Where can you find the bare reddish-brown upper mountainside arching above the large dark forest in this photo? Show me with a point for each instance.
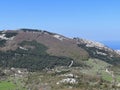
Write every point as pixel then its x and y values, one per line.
pixel 57 44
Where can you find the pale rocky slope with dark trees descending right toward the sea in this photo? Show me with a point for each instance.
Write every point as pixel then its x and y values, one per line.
pixel 99 51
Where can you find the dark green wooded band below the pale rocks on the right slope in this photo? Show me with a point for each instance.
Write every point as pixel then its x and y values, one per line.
pixel 109 58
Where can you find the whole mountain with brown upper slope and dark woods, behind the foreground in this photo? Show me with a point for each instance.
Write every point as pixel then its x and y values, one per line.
pixel 37 50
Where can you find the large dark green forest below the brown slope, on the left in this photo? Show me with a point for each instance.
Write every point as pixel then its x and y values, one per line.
pixel 33 58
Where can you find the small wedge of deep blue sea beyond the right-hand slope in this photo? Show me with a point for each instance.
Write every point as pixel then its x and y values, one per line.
pixel 112 44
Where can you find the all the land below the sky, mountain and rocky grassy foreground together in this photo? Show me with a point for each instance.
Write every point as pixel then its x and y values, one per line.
pixel 30 59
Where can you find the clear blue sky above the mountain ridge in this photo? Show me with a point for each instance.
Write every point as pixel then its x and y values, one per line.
pixel 91 19
